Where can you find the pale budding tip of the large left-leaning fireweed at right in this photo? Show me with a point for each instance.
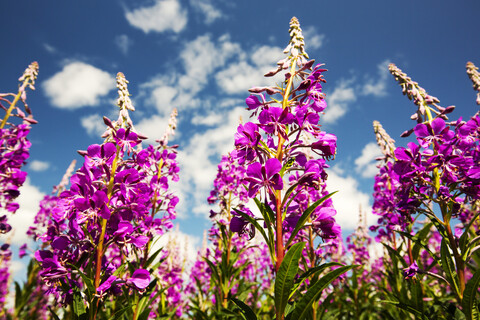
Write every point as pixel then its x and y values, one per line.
pixel 420 97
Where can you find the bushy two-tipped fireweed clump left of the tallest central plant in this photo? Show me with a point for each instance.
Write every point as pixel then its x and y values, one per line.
pixel 95 250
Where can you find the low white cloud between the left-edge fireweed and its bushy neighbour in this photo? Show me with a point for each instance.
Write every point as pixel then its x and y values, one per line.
pixel 28 200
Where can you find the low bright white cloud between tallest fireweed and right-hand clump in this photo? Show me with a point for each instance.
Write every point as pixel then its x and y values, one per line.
pixel 348 200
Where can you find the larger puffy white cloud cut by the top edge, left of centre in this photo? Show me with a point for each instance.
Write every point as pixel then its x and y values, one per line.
pixel 162 16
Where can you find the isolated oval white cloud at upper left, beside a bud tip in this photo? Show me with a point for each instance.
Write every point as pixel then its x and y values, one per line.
pixel 77 85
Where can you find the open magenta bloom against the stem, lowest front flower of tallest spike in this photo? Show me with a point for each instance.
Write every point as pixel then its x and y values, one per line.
pixel 264 176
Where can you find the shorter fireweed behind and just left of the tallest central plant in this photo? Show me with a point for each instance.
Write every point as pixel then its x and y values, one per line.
pixel 232 266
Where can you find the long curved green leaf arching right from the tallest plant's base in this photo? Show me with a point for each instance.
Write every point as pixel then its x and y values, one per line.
pixel 313 294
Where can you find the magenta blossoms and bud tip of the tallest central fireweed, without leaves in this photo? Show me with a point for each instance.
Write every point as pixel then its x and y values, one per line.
pixel 277 145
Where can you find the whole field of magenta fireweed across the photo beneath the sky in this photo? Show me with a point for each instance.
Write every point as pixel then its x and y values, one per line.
pixel 275 250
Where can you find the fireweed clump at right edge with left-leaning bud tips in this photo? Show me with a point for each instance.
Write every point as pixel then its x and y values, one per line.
pixel 437 178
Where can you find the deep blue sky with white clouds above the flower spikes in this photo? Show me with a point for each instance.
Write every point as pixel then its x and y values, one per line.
pixel 201 56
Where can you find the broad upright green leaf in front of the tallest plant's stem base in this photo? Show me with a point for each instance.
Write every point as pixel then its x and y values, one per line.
pixel 286 276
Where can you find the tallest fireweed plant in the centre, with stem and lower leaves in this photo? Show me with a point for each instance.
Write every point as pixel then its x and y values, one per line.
pixel 285 182
